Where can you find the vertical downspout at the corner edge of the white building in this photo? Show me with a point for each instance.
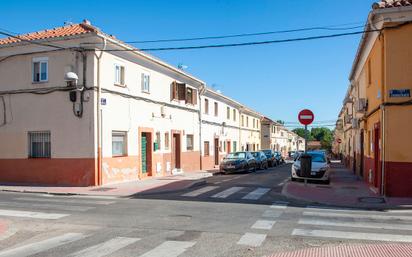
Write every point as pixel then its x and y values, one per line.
pixel 99 117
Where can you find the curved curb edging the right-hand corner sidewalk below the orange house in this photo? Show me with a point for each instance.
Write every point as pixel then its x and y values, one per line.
pixel 365 206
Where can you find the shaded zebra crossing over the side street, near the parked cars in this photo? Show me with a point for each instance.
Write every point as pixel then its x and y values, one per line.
pixel 216 192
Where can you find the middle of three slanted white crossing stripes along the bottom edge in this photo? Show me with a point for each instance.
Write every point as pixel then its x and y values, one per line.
pixel 105 248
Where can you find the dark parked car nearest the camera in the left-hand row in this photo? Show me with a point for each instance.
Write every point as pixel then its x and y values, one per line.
pixel 238 162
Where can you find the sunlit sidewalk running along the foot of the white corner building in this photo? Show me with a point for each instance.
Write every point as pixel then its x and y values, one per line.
pixel 146 186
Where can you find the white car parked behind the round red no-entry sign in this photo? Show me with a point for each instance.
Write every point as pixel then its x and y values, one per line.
pixel 320 168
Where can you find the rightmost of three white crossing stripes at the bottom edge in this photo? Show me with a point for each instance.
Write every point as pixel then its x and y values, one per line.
pixel 169 249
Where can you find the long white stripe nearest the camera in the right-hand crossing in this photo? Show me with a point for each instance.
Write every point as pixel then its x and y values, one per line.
pixel 352 235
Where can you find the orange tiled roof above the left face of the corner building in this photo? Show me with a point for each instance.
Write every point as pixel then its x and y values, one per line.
pixel 69 30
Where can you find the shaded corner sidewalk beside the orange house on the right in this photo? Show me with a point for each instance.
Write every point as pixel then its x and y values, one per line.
pixel 345 190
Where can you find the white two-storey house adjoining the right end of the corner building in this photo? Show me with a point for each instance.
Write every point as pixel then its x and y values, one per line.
pixel 220 127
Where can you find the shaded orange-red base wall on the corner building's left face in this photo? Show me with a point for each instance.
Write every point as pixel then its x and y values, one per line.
pixel 62 172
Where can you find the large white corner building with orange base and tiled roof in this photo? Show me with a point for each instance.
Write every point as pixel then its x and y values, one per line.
pixel 129 116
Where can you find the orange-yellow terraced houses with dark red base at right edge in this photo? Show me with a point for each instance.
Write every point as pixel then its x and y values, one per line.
pixel 377 110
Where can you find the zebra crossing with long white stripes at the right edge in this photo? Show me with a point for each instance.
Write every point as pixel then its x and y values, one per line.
pixel 335 223
